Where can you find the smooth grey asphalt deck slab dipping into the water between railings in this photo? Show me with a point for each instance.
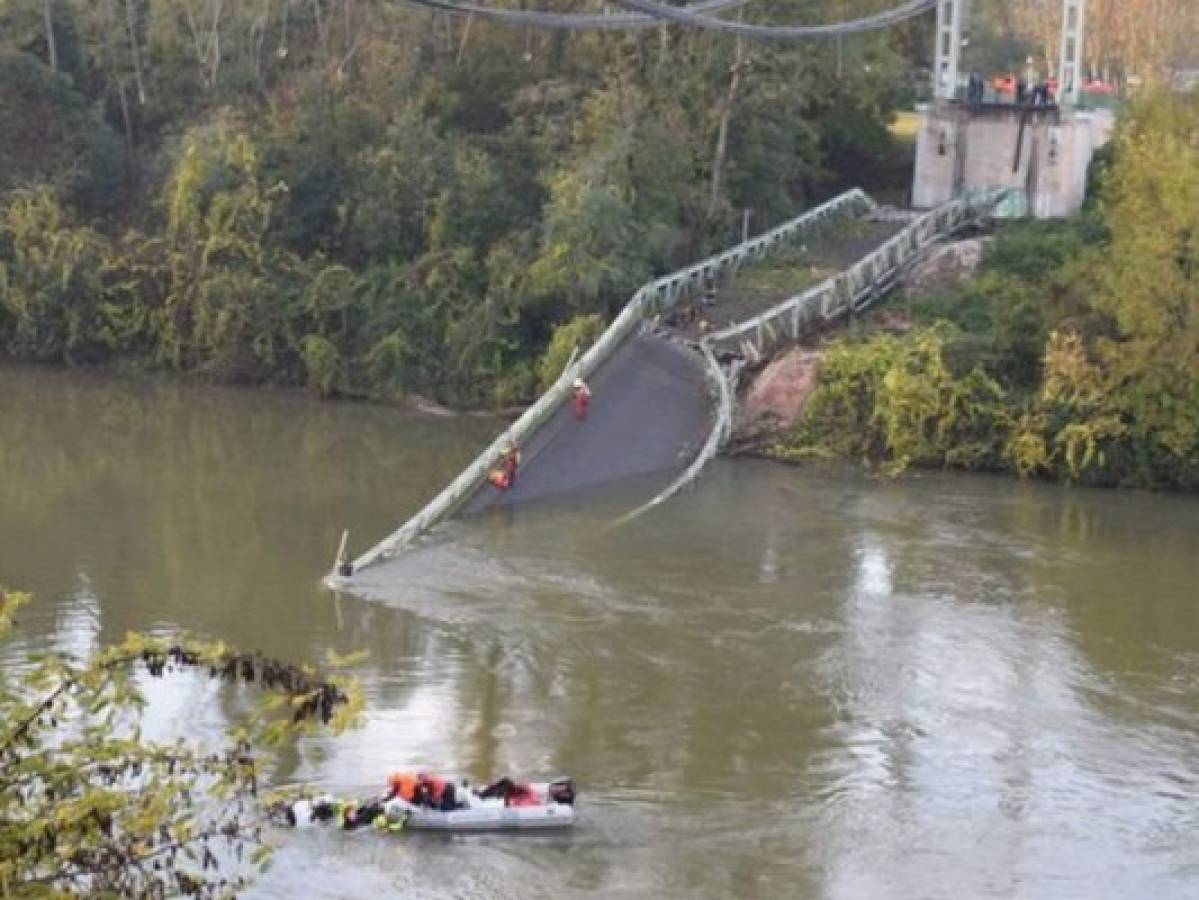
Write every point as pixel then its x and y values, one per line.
pixel 650 413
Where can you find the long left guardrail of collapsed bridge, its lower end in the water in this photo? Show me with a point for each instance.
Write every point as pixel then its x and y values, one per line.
pixel 650 299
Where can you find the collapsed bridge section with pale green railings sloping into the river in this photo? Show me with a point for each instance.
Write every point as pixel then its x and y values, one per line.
pixel 665 396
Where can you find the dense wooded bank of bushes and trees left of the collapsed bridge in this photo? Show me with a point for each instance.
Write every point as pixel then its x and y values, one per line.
pixel 379 202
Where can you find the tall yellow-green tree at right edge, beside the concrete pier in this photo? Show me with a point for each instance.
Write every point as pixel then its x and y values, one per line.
pixel 1146 282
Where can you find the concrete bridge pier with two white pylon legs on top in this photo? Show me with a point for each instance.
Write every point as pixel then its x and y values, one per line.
pixel 1040 147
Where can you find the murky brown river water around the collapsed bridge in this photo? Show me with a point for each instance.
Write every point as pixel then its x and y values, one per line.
pixel 803 684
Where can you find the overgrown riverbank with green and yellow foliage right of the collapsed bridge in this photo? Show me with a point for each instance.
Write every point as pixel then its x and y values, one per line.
pixel 1074 355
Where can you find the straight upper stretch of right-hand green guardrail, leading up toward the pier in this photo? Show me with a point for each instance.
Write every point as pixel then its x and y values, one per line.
pixel 854 288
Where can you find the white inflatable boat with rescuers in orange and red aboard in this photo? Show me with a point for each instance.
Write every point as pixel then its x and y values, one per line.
pixel 534 806
